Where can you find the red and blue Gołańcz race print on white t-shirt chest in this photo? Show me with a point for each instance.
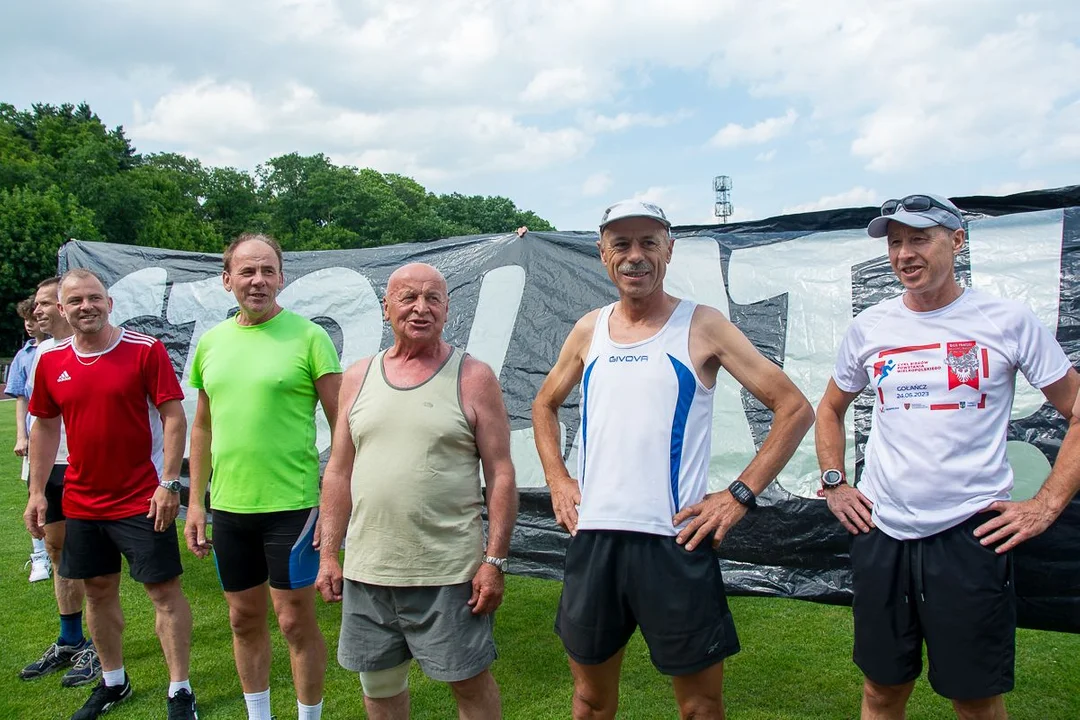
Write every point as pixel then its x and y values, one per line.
pixel 922 378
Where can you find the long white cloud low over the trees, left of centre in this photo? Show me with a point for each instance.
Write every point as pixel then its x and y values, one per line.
pixel 429 144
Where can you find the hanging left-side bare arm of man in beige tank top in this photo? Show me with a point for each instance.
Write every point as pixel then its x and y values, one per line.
pixel 336 502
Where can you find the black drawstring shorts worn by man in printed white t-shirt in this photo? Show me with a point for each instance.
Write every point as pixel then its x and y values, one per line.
pixel 947 590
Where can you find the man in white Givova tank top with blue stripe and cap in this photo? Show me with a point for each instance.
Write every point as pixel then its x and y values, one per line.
pixel 642 521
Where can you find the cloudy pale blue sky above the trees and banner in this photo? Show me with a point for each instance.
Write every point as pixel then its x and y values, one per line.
pixel 566 107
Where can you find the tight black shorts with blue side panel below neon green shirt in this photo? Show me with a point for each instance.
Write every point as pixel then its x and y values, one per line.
pixel 250 549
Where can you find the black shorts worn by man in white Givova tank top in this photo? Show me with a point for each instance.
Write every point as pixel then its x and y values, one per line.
pixel 616 581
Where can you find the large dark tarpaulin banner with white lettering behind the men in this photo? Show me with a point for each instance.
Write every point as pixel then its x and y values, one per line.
pixel 791 284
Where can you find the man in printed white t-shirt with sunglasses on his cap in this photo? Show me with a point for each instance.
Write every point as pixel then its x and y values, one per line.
pixel 931 521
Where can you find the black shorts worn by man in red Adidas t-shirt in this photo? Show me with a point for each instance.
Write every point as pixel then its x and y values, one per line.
pixel 92 549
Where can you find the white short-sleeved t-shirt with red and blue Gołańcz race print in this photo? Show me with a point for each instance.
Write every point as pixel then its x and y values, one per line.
pixel 943 383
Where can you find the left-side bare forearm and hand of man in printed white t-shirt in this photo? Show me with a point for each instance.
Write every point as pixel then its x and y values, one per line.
pixel 850 507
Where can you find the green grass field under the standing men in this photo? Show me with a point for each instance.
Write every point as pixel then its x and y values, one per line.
pixel 795 664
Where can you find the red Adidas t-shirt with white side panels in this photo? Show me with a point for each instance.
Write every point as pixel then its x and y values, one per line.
pixel 110 403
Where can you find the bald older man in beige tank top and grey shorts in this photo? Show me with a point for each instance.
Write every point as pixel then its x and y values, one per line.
pixel 418 581
